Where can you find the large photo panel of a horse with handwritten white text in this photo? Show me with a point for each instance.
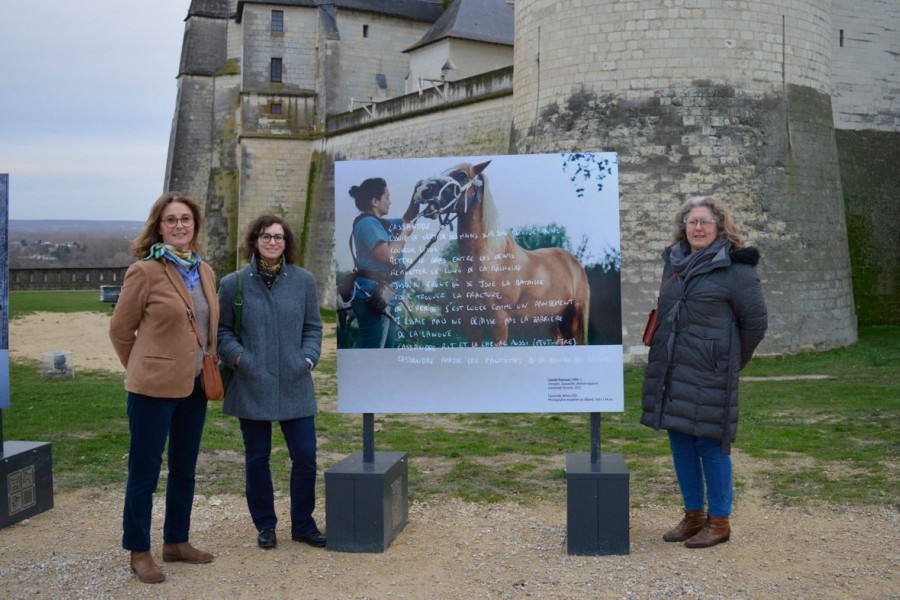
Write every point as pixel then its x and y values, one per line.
pixel 502 293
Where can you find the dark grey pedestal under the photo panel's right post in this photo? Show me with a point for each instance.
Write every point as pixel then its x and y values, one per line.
pixel 597 505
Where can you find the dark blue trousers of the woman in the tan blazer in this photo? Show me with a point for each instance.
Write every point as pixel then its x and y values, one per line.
pixel 151 421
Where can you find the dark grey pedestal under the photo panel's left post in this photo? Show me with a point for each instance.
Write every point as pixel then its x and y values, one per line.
pixel 366 504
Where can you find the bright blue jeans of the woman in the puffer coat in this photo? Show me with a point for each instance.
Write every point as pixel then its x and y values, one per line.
pixel 698 460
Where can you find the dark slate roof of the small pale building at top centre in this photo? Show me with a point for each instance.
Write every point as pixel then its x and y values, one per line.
pixel 490 21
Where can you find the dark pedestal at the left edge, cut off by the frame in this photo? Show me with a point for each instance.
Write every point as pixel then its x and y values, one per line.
pixel 26 481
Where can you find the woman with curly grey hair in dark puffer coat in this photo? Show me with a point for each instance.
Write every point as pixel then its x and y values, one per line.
pixel 712 316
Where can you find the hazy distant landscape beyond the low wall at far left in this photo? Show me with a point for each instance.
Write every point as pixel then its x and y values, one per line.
pixel 70 243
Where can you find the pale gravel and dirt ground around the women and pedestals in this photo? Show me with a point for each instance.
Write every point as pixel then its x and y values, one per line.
pixel 449 549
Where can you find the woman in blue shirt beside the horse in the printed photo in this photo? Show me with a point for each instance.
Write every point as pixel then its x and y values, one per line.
pixel 378 257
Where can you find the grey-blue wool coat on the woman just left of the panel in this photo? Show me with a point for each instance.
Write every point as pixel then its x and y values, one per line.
pixel 280 328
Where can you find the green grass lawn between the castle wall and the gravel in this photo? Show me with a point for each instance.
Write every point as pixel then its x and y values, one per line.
pixel 804 442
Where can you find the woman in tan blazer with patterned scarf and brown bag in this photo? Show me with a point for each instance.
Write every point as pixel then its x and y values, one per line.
pixel 167 294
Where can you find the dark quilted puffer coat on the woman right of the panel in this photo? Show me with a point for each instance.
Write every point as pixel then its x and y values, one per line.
pixel 691 380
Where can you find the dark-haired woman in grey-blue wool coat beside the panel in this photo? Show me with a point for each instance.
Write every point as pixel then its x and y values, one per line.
pixel 279 346
